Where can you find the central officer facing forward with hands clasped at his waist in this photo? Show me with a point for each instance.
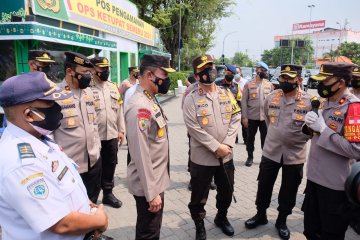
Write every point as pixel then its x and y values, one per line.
pixel 212 118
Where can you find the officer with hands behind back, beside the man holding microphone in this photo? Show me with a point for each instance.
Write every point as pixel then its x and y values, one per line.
pixel 285 147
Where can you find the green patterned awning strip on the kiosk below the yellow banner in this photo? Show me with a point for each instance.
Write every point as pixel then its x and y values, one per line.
pixel 38 31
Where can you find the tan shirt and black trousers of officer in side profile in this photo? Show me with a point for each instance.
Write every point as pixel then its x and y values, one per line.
pixel 148 171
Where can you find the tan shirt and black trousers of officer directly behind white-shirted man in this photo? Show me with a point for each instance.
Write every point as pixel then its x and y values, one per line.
pixel 78 135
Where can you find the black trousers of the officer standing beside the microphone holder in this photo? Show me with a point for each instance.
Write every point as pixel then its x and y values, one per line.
pixel 291 179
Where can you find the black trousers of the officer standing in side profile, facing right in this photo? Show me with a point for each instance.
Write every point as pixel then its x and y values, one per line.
pixel 148 224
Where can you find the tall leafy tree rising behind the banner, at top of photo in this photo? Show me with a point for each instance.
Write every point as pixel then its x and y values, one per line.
pixel 197 23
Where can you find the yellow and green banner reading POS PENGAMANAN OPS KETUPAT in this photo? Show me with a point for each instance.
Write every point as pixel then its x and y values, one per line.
pixel 102 15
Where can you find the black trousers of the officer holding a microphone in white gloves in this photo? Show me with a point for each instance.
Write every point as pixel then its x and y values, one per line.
pixel 324 213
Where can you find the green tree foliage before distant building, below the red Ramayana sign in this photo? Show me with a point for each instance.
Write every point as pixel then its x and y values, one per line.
pixel 276 56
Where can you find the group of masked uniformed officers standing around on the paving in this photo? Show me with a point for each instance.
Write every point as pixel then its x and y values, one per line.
pixel 86 116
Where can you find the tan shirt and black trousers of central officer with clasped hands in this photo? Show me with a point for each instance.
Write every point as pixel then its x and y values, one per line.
pixel 211 119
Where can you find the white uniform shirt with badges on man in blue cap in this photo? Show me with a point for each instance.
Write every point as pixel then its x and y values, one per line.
pixel 38 181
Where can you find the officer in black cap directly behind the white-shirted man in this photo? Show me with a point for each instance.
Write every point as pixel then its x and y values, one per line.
pixel 78 133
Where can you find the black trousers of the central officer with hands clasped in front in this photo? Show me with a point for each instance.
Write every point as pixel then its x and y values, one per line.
pixel 201 177
